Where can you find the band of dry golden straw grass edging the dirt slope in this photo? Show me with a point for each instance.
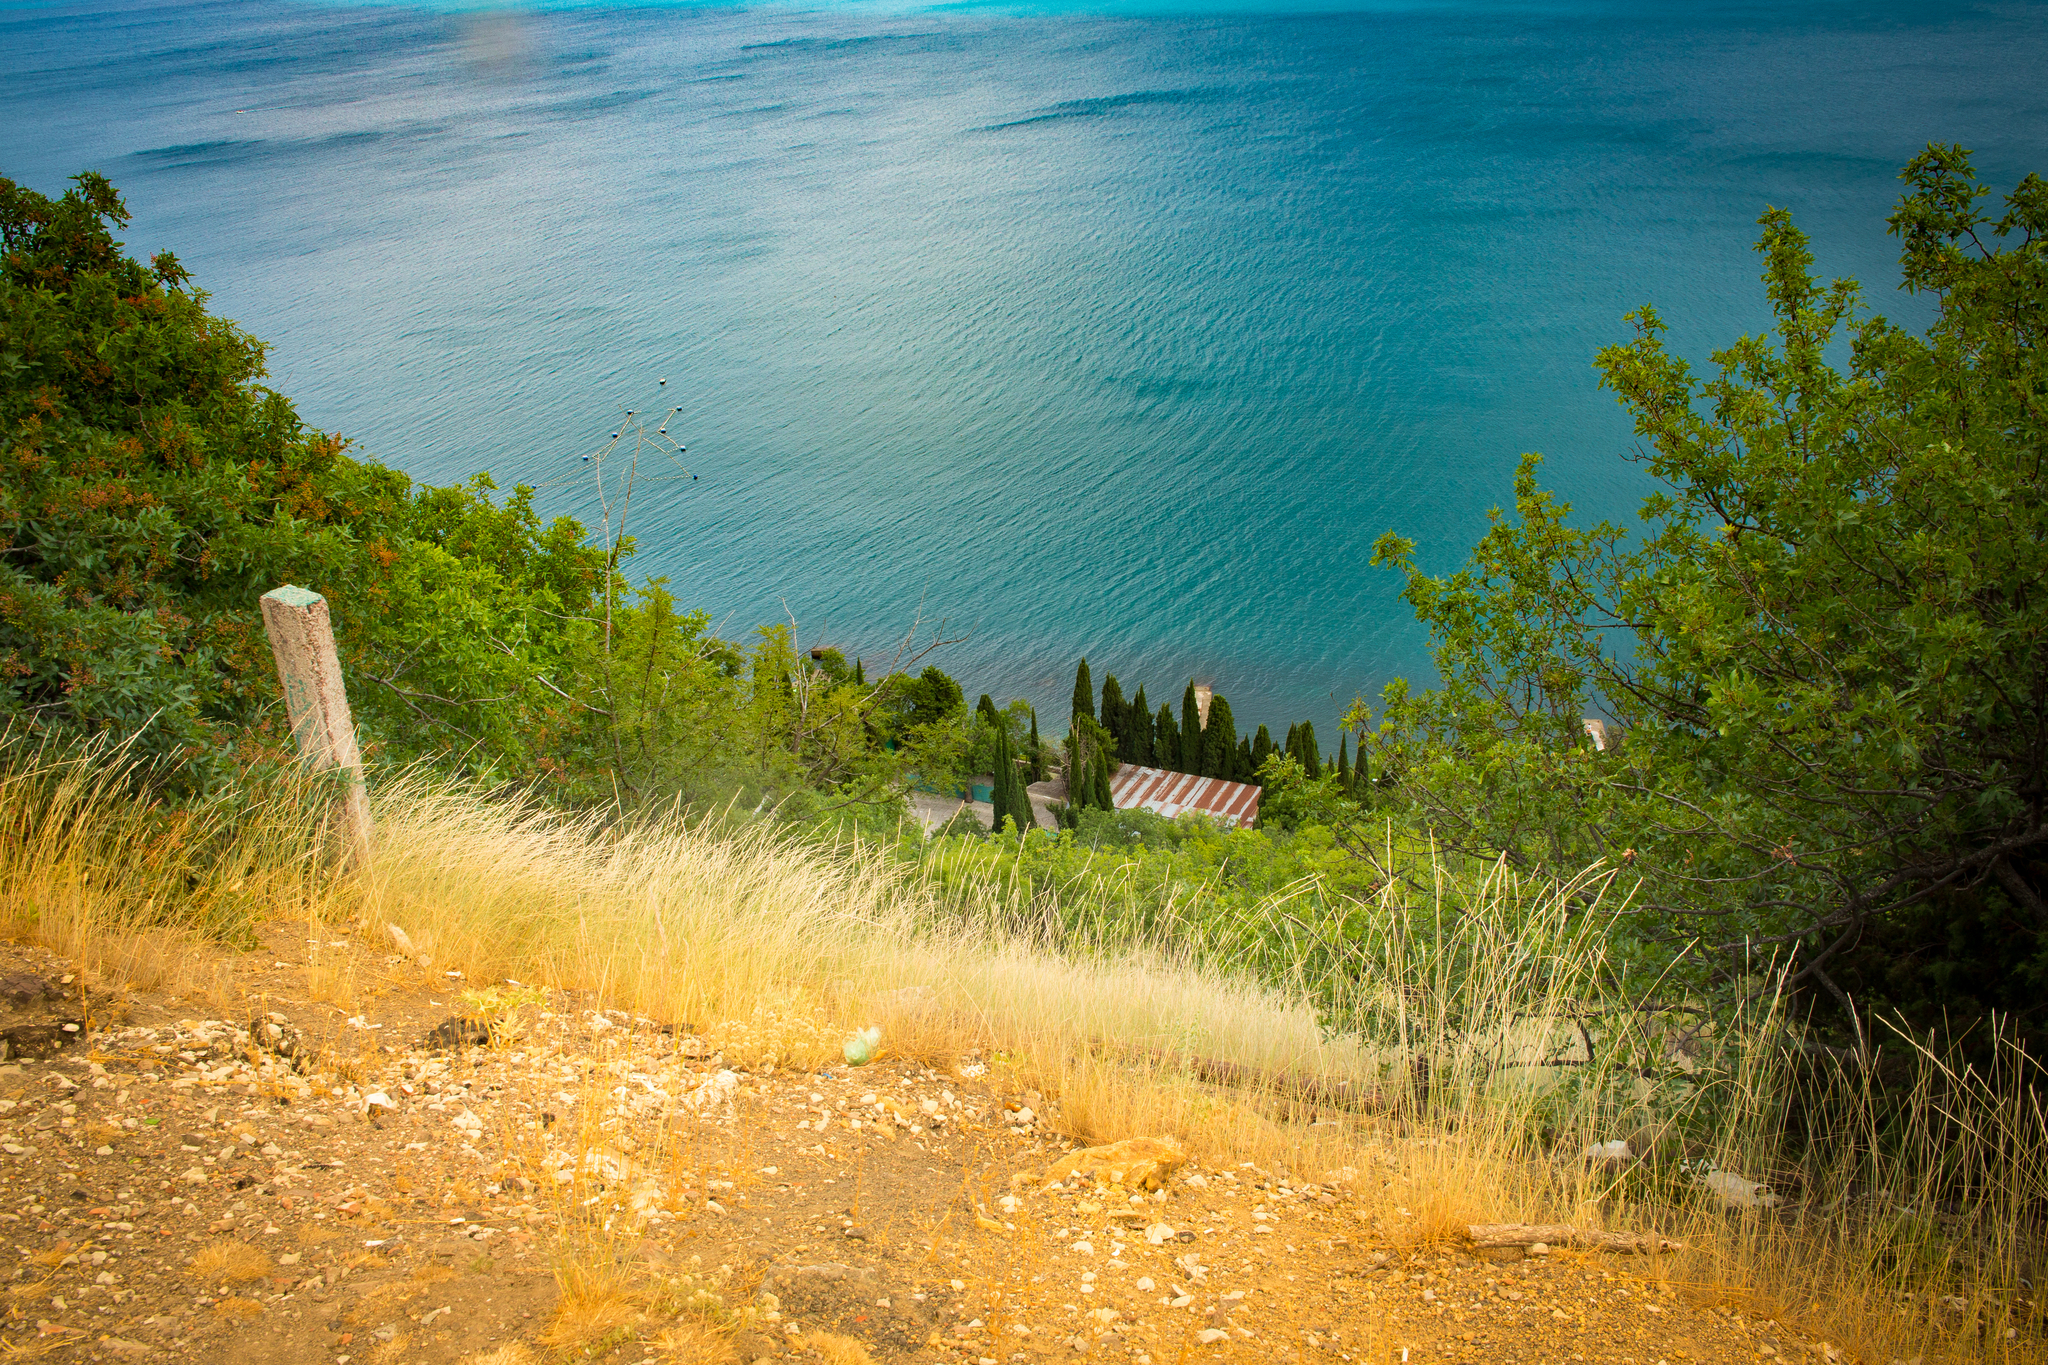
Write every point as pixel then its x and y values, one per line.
pixel 1918 1239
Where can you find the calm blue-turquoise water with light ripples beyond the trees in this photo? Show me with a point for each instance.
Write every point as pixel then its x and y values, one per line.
pixel 1111 333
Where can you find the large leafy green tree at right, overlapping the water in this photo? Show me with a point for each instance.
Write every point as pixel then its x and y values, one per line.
pixel 1824 642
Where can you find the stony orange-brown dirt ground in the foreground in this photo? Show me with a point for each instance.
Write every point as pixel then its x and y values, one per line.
pixel 300 1182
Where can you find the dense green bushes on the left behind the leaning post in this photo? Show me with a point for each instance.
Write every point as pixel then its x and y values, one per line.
pixel 153 490
